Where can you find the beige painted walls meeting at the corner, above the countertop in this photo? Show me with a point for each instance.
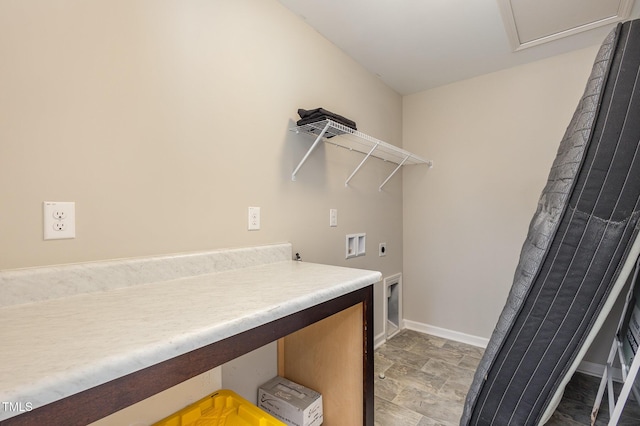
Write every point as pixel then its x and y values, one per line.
pixel 165 120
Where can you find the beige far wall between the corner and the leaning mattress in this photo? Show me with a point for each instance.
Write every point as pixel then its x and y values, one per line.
pixel 493 139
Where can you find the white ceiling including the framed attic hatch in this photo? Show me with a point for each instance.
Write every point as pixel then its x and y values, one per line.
pixel 414 45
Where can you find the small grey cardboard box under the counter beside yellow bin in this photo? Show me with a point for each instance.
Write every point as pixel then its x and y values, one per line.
pixel 290 402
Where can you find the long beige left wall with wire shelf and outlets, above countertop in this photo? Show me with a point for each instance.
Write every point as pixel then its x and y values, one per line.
pixel 165 120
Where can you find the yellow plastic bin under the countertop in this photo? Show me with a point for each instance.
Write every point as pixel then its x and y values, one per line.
pixel 221 408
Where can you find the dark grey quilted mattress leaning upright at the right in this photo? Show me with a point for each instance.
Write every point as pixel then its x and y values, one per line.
pixel 580 236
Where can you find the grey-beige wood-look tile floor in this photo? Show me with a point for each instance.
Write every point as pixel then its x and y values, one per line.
pixel 426 379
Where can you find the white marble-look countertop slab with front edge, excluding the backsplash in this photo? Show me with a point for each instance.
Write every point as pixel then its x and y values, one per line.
pixel 54 348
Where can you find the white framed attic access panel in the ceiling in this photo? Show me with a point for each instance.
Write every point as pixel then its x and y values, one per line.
pixel 532 22
